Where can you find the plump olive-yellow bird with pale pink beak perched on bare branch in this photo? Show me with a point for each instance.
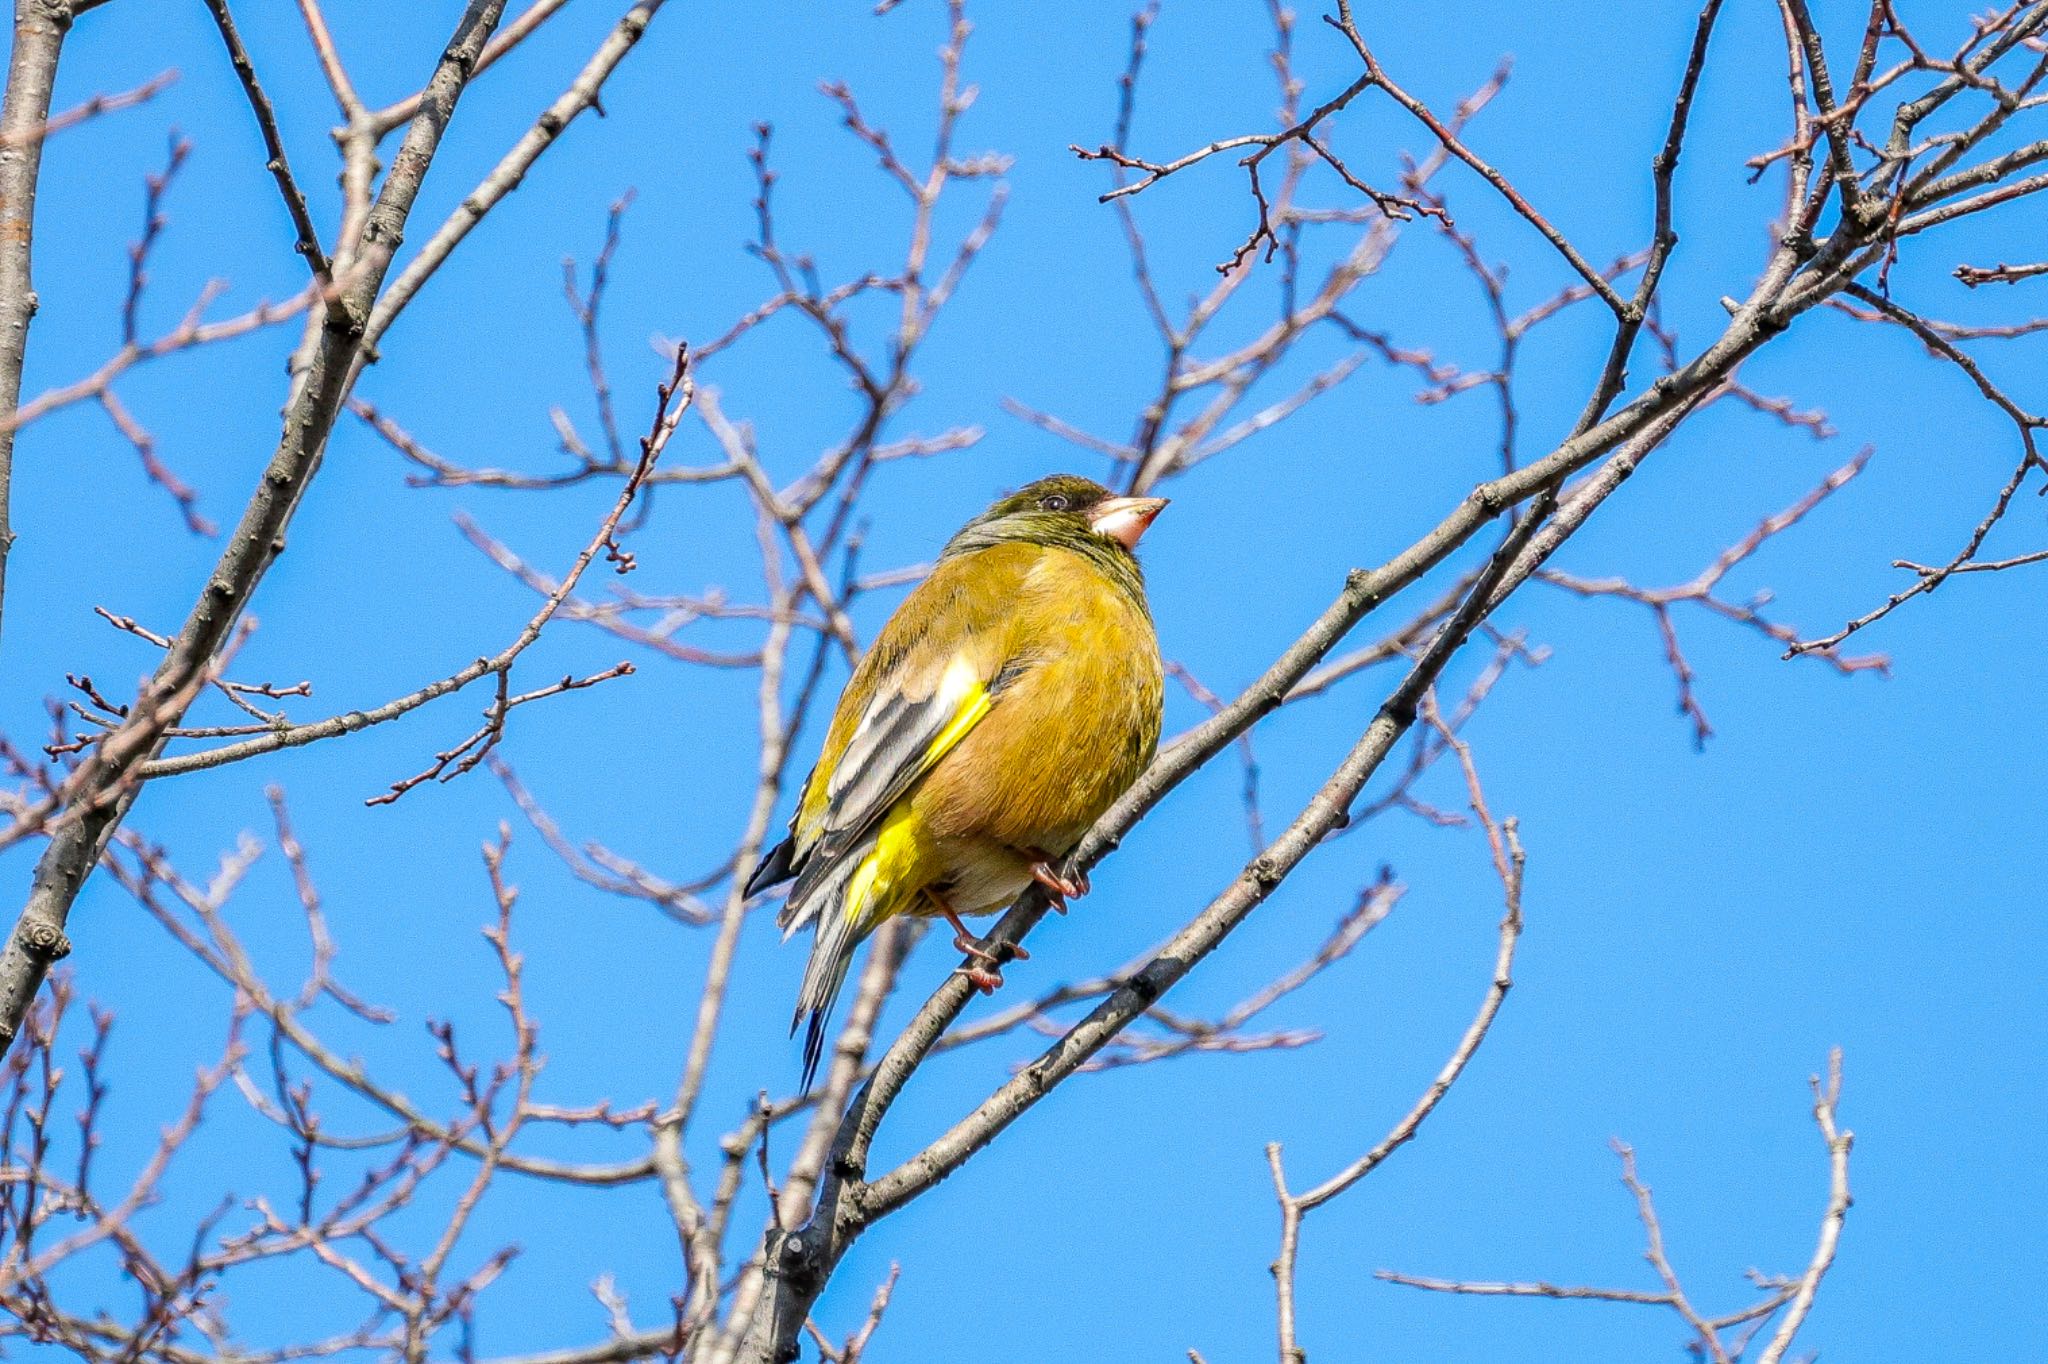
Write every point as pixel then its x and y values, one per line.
pixel 1011 699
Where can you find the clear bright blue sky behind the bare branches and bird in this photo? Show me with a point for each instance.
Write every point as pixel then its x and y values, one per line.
pixel 1852 861
